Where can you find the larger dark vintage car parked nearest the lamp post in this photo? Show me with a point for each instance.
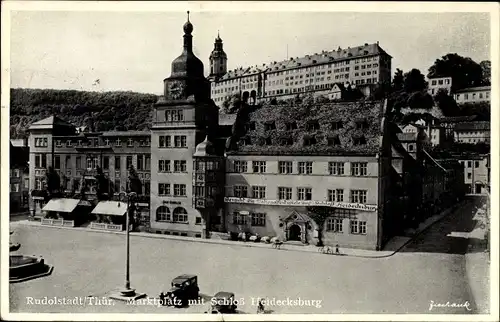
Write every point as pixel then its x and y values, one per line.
pixel 183 288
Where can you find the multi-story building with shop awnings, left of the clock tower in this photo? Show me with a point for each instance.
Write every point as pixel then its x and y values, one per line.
pixel 76 156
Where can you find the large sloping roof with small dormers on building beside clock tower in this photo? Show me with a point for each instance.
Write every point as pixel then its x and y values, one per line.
pixel 262 140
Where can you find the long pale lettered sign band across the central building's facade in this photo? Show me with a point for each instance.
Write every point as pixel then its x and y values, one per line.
pixel 267 202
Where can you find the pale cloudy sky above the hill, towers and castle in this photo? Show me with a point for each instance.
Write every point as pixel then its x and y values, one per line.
pixel 134 50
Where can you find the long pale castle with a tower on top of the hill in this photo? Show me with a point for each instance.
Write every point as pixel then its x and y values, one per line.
pixel 361 66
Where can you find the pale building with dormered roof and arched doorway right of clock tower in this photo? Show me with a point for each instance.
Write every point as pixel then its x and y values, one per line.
pixel 284 169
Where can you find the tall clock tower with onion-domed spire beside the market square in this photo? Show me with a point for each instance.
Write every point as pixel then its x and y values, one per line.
pixel 183 117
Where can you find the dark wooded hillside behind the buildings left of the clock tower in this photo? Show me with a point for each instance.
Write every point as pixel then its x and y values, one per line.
pixel 119 111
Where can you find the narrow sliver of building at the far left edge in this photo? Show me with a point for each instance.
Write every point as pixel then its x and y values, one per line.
pixel 19 176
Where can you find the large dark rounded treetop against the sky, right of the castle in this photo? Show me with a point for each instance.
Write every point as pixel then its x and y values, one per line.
pixel 464 72
